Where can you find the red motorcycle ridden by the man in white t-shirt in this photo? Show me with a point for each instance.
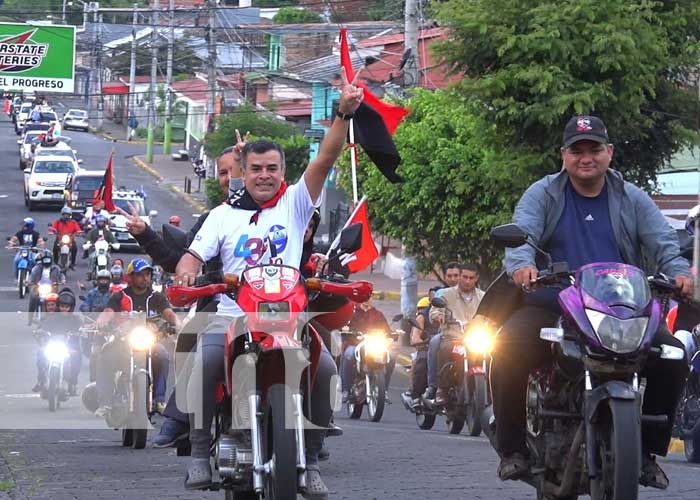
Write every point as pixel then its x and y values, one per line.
pixel 259 441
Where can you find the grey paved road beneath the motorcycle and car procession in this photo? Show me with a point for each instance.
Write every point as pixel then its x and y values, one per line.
pixel 69 455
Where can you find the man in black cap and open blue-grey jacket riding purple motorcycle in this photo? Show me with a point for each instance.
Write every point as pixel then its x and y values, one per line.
pixel 585 213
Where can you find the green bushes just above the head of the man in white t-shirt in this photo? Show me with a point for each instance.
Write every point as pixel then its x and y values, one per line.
pixel 245 118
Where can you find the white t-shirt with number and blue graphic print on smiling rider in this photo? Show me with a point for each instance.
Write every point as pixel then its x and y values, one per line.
pixel 242 244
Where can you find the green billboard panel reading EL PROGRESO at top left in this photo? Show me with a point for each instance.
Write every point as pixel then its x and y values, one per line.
pixel 37 58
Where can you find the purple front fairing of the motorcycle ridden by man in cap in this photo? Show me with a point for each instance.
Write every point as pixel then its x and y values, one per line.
pixel 574 301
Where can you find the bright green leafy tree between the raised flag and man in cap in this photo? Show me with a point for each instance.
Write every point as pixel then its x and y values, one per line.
pixel 455 190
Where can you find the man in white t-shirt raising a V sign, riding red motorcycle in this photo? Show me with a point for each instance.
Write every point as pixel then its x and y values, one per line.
pixel 266 219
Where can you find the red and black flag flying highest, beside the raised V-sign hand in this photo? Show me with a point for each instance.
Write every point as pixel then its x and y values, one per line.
pixel 374 122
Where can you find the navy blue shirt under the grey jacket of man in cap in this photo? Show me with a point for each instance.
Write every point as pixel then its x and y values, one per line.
pixel 584 233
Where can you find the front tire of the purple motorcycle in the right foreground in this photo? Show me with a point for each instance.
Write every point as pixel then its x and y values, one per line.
pixel 619 448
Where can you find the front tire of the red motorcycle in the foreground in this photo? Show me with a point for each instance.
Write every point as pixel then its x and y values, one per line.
pixel 279 444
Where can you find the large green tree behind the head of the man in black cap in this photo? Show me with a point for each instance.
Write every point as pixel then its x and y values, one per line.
pixel 530 65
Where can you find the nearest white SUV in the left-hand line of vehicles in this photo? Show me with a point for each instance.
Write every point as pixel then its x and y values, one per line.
pixel 45 181
